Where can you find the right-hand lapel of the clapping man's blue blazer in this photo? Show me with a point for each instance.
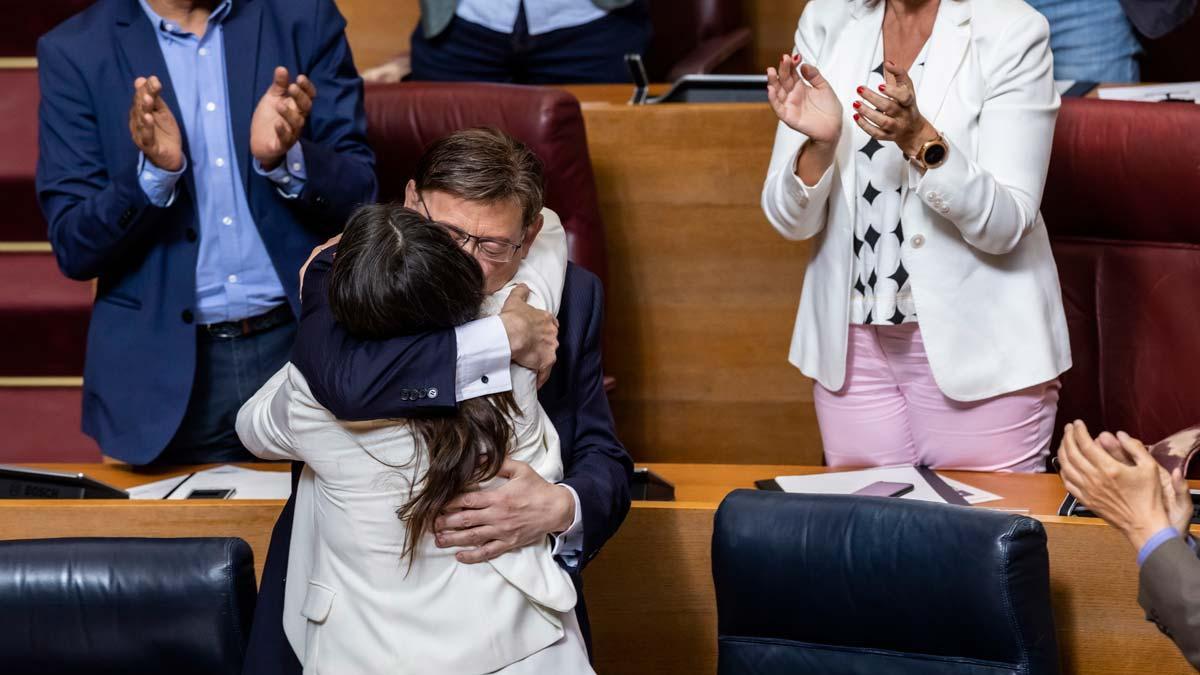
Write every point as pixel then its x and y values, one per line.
pixel 242 43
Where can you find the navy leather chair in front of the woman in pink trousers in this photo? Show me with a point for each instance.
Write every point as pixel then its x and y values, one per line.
pixel 838 586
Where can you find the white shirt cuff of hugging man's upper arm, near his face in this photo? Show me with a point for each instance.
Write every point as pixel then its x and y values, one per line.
pixel 484 357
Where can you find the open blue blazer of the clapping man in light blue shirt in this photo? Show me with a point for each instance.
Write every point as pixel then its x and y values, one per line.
pixel 142 341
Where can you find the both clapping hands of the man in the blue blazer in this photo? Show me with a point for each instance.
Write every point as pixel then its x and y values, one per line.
pixel 279 120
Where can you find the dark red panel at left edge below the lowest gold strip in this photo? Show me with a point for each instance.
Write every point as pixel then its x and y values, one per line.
pixel 43 425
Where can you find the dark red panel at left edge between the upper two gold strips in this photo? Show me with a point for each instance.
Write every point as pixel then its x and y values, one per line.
pixel 21 220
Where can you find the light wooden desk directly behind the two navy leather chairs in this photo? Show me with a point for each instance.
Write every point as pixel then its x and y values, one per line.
pixel 651 592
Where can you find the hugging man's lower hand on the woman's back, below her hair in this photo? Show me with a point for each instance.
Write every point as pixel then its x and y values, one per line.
pixel 521 512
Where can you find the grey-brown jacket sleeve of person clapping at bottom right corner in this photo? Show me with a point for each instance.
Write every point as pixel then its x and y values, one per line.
pixel 1169 592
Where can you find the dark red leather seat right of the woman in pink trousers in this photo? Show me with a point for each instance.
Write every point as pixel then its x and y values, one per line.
pixel 1121 208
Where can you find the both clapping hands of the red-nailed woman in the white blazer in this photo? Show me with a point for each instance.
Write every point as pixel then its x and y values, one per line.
pixel 806 101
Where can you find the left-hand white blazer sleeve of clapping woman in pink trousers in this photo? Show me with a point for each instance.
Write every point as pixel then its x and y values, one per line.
pixel 795 210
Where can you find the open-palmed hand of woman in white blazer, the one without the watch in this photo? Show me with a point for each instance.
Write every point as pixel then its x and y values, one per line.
pixel 803 99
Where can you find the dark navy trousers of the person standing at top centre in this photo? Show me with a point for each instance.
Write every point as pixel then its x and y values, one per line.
pixel 590 53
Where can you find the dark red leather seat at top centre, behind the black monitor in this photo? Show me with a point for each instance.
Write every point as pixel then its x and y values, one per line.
pixel 700 37
